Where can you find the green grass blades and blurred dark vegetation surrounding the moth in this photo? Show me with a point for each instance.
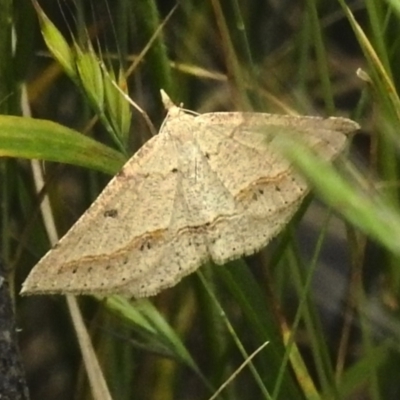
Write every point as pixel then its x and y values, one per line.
pixel 322 297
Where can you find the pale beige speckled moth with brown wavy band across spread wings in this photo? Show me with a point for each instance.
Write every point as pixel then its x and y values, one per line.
pixel 207 187
